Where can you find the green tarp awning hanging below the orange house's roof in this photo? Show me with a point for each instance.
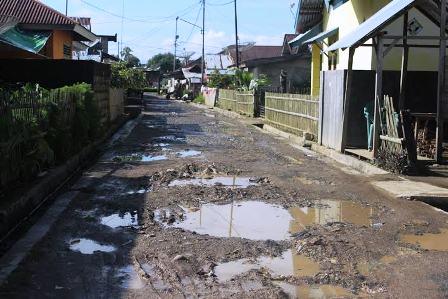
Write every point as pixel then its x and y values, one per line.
pixel 31 41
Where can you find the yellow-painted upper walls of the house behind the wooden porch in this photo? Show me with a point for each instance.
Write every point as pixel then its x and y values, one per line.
pixel 339 18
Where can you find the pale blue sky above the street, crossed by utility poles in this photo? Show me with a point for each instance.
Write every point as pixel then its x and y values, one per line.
pixel 149 25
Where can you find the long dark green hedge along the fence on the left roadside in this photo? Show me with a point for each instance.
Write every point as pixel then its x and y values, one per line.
pixel 62 122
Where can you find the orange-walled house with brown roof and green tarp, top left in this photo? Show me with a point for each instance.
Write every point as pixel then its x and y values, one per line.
pixel 31 29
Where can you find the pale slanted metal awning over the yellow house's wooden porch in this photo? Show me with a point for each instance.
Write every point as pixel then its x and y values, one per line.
pixel 378 21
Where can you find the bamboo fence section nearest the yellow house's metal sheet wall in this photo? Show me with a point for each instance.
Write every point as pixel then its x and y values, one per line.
pixel 293 113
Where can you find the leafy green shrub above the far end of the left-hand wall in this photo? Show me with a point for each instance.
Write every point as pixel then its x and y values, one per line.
pixel 126 77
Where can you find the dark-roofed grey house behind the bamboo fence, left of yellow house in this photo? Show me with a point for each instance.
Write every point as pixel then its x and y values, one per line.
pixel 271 60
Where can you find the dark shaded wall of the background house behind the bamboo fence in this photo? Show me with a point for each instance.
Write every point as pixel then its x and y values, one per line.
pixel 299 72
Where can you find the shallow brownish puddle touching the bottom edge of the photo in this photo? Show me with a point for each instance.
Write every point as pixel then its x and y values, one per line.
pixel 314 292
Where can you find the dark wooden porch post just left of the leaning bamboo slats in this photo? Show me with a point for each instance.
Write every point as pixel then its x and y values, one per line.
pixel 378 95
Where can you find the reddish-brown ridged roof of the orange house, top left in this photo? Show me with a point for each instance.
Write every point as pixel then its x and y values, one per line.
pixel 33 12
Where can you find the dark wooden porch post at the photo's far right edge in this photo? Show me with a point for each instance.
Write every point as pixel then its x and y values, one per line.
pixel 441 84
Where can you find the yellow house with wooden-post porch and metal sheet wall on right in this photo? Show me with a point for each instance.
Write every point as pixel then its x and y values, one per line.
pixel 365 49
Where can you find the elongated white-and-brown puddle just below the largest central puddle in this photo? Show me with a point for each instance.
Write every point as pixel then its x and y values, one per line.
pixel 289 264
